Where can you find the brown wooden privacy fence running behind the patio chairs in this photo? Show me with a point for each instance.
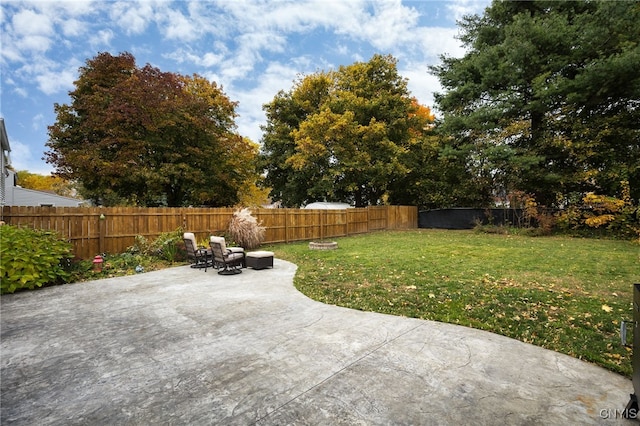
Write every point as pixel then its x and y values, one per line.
pixel 94 230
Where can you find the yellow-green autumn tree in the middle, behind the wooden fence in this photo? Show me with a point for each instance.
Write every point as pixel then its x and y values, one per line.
pixel 340 135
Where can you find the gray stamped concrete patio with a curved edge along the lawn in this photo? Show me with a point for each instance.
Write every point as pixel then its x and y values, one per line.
pixel 183 346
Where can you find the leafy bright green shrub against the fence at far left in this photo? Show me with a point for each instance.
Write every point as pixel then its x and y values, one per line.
pixel 32 258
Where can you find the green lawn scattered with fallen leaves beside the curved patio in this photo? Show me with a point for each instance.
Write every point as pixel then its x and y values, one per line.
pixel 561 293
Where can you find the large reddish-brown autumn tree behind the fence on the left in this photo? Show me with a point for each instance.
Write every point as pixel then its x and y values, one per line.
pixel 144 137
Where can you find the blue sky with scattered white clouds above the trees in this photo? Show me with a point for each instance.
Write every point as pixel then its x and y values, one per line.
pixel 253 48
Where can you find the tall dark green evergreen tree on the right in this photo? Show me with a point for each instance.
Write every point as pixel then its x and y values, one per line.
pixel 547 98
